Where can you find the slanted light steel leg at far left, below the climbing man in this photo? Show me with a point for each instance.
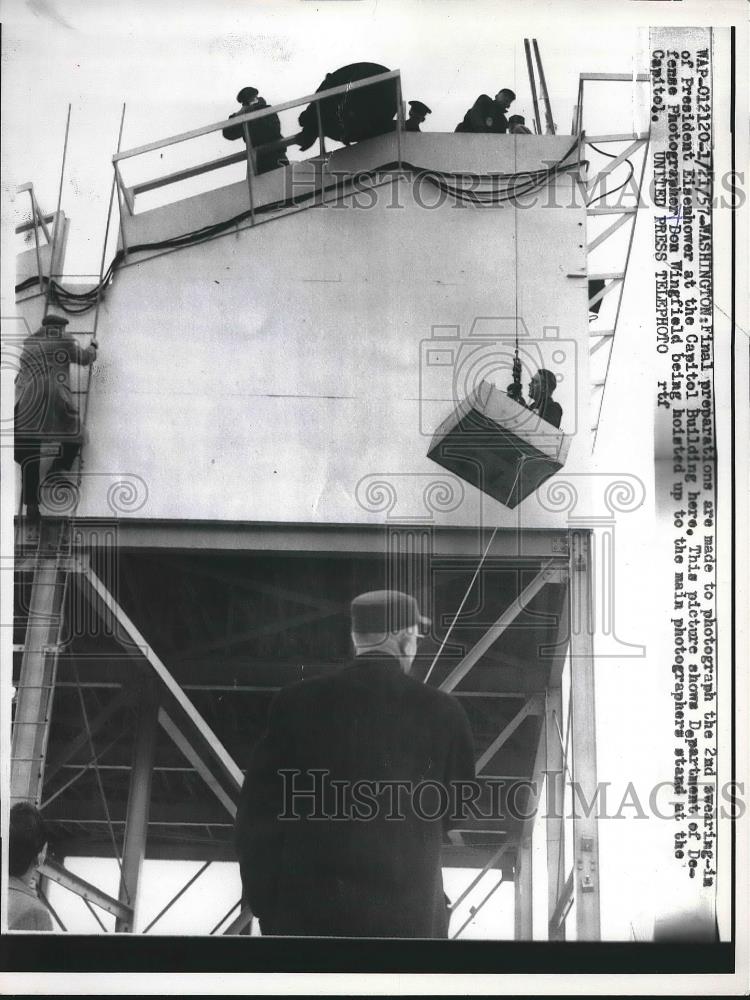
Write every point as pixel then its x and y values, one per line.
pixel 36 683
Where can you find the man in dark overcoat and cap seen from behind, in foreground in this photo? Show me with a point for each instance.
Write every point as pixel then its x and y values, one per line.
pixel 331 837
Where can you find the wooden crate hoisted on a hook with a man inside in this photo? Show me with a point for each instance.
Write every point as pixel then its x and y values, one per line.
pixel 498 445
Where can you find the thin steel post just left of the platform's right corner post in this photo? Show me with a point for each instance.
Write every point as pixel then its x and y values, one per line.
pixel 555 807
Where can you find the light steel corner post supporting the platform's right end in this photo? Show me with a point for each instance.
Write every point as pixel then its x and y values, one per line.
pixel 583 737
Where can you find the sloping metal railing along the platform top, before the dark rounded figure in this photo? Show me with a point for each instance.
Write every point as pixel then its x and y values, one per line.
pixel 128 194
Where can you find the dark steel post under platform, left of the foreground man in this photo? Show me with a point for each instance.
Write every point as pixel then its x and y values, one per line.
pixel 139 797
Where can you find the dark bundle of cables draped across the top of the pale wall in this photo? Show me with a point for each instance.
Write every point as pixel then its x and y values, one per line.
pixel 504 188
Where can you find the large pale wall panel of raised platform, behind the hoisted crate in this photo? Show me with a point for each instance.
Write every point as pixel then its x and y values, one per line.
pixel 281 374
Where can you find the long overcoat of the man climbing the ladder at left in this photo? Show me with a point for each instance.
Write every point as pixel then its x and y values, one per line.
pixel 45 406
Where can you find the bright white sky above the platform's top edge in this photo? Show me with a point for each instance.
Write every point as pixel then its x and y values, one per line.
pixel 178 65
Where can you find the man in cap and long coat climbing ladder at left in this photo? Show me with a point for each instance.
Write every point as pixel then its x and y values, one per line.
pixel 45 411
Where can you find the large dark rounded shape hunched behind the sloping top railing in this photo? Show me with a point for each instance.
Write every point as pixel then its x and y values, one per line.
pixel 354 115
